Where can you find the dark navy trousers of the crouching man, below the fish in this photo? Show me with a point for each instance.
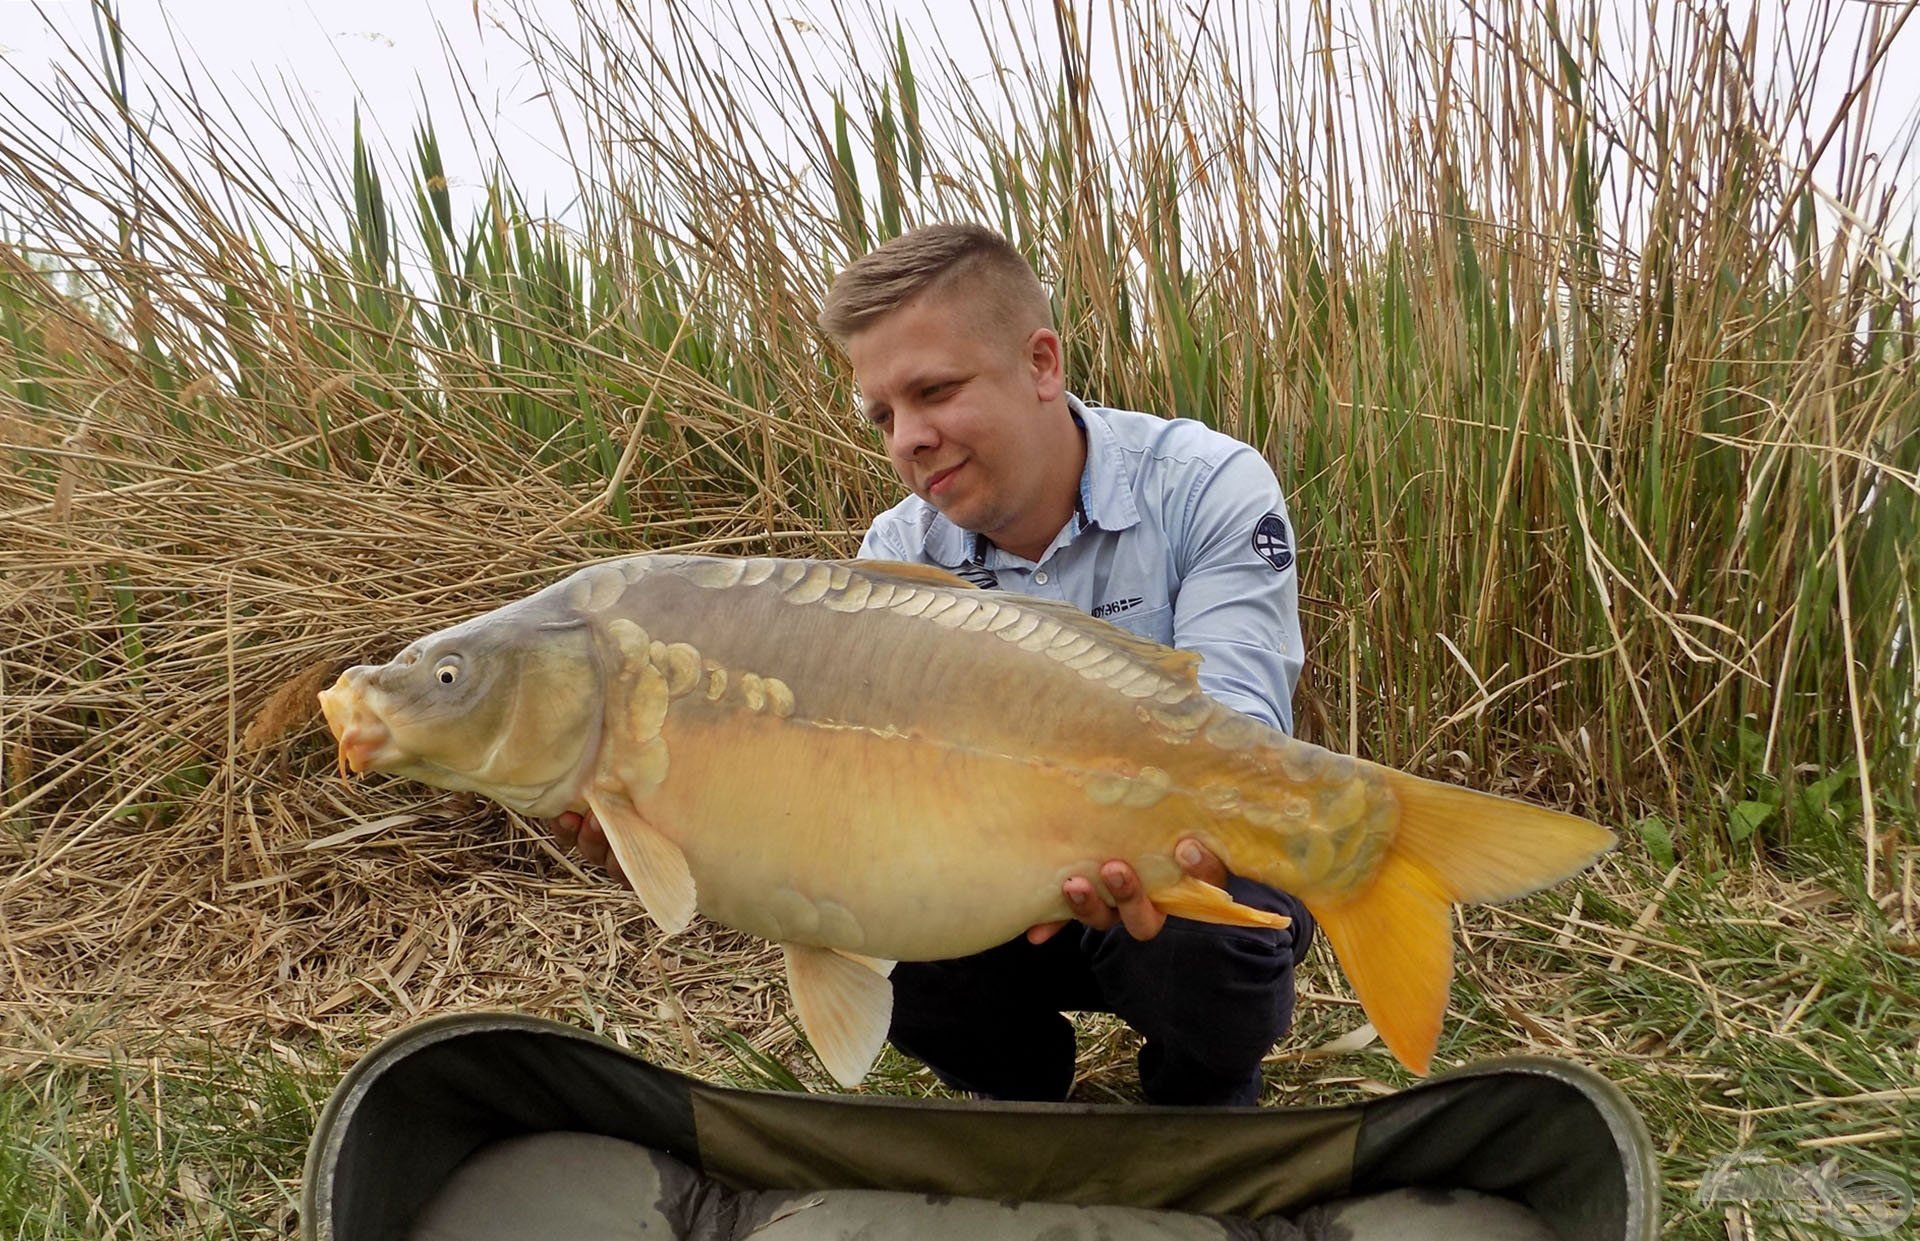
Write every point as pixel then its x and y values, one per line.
pixel 1209 1000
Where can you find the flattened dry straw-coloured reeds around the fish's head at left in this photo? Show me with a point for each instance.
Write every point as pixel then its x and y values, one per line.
pixel 228 885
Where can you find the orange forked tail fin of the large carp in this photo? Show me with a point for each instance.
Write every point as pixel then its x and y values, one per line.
pixel 1452 846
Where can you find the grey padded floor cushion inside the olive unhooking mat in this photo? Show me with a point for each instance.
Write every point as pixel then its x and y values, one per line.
pixel 590 1188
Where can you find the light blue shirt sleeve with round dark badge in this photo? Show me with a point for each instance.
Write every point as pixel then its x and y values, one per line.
pixel 1239 591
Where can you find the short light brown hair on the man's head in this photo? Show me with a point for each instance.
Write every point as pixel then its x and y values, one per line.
pixel 946 258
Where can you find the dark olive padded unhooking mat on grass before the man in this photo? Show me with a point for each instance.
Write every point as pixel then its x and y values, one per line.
pixel 516 1129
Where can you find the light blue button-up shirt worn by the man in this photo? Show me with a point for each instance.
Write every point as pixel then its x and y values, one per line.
pixel 1180 537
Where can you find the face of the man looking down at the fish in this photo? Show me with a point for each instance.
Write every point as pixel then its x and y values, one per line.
pixel 959 408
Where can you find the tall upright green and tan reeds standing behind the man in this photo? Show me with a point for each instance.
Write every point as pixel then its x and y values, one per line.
pixel 1598 416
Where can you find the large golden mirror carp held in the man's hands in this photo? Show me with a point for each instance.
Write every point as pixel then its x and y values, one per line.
pixel 869 762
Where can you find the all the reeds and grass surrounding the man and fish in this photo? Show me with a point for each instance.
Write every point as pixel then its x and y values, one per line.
pixel 1596 410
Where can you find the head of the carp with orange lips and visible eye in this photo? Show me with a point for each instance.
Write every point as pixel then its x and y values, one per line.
pixel 506 706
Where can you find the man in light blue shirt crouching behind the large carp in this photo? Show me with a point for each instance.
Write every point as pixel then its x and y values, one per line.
pixel 1163 527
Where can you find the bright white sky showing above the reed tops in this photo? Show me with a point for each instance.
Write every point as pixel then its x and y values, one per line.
pixel 393 57
